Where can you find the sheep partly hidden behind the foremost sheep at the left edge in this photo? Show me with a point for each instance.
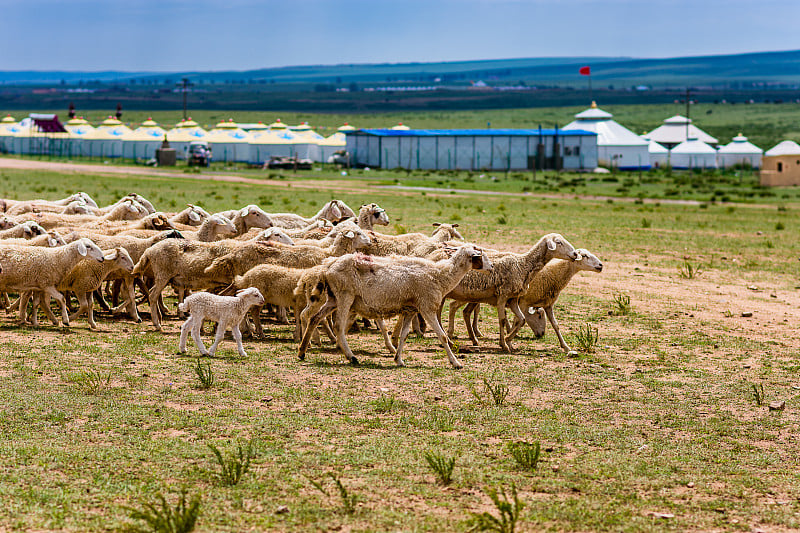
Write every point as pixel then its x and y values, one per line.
pixel 87 276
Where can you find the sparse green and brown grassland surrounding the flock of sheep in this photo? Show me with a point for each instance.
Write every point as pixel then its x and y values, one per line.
pixel 653 429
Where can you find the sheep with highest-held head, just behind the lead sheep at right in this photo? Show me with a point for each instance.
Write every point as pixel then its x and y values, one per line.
pixel 512 272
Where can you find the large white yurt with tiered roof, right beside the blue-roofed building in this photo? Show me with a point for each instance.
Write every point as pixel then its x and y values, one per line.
pixel 617 146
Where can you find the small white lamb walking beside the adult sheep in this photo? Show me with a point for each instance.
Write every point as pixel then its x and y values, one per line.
pixel 224 310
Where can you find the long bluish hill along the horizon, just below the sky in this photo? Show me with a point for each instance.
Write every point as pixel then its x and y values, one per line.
pixel 752 68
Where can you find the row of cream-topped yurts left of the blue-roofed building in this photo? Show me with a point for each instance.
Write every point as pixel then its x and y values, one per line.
pixel 229 141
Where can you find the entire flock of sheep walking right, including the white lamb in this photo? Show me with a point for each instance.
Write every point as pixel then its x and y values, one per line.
pixel 329 269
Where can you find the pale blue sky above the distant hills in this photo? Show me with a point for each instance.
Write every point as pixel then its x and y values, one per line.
pixel 170 35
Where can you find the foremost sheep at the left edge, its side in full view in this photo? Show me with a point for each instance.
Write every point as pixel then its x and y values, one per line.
pixel 29 268
